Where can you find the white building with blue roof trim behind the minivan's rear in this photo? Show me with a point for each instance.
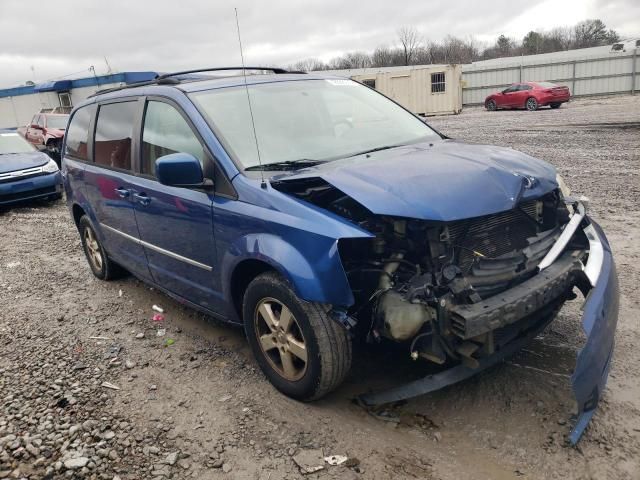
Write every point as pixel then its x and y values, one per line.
pixel 19 104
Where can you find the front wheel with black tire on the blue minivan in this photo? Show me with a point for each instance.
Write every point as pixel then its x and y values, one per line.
pixel 306 373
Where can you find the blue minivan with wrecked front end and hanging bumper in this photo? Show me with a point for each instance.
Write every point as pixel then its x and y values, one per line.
pixel 316 212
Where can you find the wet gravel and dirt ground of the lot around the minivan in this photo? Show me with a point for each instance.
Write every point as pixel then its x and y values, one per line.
pixel 92 387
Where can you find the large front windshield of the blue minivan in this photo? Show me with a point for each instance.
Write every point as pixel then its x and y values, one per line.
pixel 308 119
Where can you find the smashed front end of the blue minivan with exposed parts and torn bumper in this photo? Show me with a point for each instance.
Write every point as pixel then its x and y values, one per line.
pixel 470 292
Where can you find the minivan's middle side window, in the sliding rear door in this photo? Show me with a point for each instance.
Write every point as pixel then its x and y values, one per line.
pixel 114 131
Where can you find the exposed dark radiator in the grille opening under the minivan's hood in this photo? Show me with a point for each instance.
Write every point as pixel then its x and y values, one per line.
pixel 495 235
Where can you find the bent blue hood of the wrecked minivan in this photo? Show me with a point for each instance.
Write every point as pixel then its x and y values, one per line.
pixel 443 181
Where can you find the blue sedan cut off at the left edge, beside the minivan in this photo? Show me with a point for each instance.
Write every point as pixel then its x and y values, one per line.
pixel 26 173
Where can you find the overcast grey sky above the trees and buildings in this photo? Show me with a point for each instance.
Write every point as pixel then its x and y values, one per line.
pixel 44 40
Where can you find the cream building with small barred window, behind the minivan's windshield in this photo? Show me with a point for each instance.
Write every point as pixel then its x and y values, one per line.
pixel 422 89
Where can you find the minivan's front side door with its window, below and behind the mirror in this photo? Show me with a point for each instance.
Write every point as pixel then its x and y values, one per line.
pixel 175 224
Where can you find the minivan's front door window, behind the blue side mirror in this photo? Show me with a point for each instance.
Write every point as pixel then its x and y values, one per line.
pixel 165 132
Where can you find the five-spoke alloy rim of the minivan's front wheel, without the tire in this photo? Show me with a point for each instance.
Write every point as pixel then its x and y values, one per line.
pixel 280 338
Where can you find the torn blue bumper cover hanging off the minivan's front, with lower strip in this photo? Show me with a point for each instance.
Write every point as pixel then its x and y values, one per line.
pixel 600 316
